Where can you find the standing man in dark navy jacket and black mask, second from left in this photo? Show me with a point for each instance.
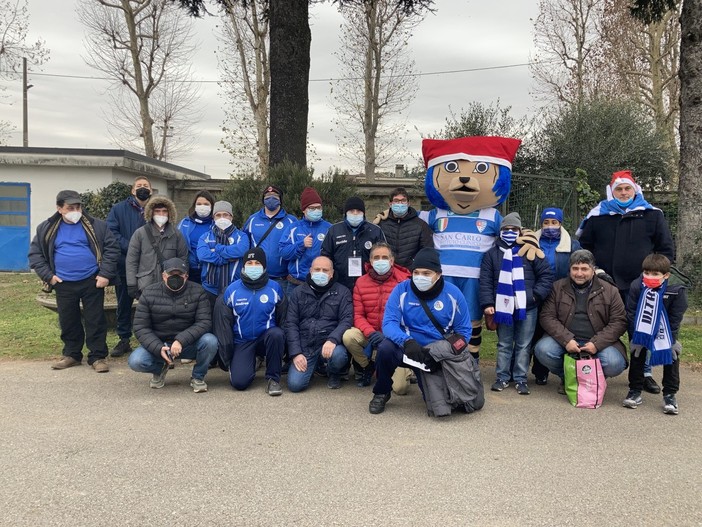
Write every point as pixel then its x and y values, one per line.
pixel 123 220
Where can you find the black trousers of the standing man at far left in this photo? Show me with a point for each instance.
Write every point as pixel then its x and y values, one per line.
pixel 68 298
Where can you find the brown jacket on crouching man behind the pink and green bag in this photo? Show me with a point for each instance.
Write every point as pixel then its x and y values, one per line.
pixel 605 310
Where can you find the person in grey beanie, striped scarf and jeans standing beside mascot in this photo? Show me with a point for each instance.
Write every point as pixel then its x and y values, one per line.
pixel 511 289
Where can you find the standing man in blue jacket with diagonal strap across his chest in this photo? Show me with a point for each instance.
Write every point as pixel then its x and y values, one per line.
pixel 265 229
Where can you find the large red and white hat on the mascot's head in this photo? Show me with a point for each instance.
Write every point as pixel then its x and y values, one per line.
pixel 492 149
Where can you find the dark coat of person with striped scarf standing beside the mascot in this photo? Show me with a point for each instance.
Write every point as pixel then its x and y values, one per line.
pixel 538 278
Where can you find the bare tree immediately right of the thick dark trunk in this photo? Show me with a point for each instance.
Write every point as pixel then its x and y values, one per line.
pixel 377 82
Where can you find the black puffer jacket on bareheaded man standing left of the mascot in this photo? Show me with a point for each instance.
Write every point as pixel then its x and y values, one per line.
pixel 406 235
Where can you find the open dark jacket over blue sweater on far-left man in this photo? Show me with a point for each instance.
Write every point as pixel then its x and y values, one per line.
pixel 102 243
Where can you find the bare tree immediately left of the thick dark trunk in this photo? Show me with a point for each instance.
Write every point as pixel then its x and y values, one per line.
pixel 243 62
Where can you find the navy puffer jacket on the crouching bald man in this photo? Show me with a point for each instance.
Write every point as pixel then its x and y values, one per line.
pixel 311 321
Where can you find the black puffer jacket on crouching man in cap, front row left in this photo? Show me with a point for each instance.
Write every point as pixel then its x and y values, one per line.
pixel 164 316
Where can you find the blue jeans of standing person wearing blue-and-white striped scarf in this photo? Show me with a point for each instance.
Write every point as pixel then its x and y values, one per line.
pixel 515 341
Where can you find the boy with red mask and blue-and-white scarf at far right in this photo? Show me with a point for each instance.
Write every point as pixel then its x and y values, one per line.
pixel 655 310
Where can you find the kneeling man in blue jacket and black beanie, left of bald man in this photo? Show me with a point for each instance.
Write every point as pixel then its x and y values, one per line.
pixel 248 321
